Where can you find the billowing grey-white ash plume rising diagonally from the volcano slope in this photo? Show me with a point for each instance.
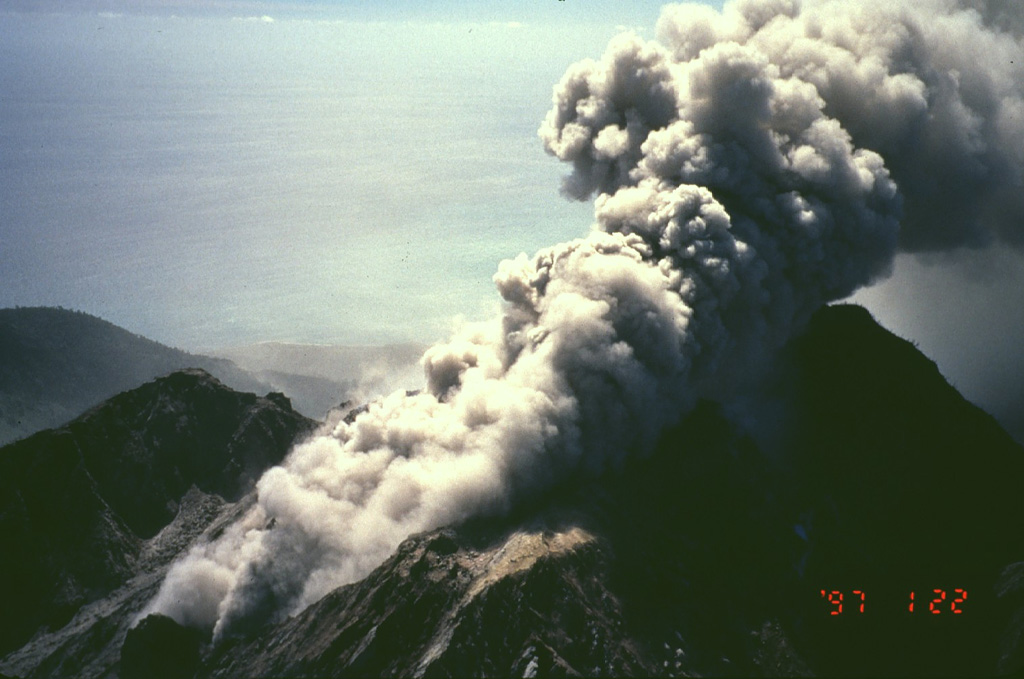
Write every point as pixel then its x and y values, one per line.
pixel 753 166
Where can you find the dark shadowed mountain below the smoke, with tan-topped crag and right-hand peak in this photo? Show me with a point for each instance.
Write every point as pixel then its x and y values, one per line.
pixel 709 558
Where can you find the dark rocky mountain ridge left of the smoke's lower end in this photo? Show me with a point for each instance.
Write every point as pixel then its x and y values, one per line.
pixel 77 503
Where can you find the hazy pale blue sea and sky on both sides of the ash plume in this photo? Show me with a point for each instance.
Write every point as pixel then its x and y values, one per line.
pixel 219 174
